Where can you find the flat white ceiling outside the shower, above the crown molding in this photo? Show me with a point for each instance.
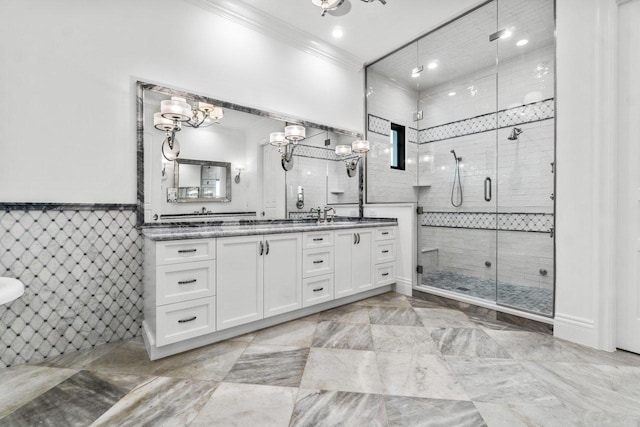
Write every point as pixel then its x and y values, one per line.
pixel 371 30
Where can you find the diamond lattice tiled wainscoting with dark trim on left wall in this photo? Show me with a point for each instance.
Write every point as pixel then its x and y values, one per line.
pixel 82 270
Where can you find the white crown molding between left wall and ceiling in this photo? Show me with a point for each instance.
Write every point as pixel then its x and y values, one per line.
pixel 280 30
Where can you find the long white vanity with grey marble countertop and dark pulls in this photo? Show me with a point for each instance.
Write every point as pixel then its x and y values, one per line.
pixel 207 283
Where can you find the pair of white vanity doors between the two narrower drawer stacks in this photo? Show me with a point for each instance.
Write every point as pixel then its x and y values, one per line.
pixel 353 261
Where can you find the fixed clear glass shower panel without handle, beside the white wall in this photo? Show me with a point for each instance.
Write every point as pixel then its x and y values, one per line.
pixel 526 152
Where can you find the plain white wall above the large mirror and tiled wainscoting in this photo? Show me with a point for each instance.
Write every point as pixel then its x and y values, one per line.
pixel 67 84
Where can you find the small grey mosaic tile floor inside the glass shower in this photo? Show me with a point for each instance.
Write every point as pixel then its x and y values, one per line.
pixel 537 300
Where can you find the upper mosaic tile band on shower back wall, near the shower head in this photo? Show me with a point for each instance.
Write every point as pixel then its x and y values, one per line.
pixel 528 113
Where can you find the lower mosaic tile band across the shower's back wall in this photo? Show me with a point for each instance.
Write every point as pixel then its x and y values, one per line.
pixel 527 222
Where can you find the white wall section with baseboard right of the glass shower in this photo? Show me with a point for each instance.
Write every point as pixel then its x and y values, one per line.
pixel 586 187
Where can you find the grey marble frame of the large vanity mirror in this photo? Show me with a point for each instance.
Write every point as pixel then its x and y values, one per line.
pixel 142 87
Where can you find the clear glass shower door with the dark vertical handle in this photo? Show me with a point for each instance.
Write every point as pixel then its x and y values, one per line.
pixel 457 157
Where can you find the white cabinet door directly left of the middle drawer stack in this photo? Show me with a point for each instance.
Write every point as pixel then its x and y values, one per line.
pixel 282 273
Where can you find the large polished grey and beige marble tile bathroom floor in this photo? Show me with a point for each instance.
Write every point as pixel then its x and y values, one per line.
pixel 388 360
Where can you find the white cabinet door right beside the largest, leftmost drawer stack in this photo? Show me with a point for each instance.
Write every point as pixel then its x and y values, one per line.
pixel 239 281
